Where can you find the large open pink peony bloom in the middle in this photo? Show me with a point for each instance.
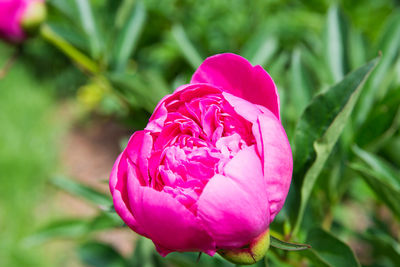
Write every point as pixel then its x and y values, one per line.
pixel 213 166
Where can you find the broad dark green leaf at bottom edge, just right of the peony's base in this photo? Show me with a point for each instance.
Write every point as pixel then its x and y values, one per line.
pixel 327 250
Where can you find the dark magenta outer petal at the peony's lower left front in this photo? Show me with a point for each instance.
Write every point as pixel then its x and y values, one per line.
pixel 166 221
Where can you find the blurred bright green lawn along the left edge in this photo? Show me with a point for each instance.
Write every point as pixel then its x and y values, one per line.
pixel 28 156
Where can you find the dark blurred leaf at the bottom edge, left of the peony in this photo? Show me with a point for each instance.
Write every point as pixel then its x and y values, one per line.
pixel 98 254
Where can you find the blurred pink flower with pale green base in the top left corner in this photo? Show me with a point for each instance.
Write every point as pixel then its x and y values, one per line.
pixel 19 17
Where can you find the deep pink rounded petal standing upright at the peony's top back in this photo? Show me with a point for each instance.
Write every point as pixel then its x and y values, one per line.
pixel 235 75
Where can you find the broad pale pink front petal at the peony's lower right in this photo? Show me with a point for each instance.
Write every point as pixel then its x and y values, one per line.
pixel 234 208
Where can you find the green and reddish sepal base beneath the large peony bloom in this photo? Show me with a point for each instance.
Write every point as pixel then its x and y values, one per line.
pixel 249 254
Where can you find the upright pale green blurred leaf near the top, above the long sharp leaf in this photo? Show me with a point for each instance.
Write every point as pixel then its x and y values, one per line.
pixel 336 43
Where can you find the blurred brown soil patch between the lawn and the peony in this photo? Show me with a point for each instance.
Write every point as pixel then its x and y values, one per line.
pixel 87 153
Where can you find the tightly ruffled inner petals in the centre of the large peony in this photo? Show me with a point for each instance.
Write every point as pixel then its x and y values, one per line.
pixel 198 138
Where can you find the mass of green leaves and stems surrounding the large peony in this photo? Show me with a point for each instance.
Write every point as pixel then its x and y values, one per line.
pixel 128 54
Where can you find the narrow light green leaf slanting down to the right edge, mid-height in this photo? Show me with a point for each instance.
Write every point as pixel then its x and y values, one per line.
pixel 386 172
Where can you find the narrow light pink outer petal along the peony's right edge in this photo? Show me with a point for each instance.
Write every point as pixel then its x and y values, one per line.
pixel 277 158
